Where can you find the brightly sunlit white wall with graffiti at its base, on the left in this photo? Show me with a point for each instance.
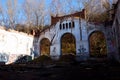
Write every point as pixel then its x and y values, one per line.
pixel 14 44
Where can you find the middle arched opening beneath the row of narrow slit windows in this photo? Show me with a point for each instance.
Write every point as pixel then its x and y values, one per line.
pixel 68 45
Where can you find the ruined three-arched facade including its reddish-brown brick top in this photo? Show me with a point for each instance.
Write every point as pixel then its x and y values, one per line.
pixel 81 30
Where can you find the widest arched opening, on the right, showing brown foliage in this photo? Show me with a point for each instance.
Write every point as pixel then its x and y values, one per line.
pixel 97 44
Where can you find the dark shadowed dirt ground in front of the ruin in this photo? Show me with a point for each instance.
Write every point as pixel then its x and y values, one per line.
pixel 62 71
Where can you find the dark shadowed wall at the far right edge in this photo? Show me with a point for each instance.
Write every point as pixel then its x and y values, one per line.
pixel 116 28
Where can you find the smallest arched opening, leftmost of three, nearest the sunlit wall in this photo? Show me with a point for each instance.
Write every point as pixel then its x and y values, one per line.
pixel 45 47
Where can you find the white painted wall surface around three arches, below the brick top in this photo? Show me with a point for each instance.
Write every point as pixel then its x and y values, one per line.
pixel 81 43
